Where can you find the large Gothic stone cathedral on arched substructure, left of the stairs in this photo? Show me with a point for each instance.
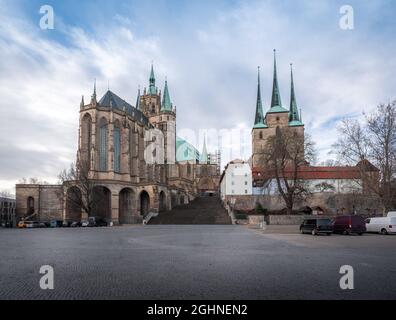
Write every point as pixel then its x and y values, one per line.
pixel 134 159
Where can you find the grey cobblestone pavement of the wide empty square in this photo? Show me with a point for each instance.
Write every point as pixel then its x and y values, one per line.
pixel 193 262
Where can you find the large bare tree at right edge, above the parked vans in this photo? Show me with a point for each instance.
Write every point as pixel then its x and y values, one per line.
pixel 372 142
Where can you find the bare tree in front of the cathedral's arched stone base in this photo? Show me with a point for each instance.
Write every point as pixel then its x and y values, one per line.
pixel 81 188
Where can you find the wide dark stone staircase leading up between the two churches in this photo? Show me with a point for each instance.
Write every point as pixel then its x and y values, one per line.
pixel 203 210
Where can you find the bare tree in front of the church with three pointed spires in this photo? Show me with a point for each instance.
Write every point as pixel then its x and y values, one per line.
pixel 284 155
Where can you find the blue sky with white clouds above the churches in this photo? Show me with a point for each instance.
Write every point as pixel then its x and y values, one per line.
pixel 208 51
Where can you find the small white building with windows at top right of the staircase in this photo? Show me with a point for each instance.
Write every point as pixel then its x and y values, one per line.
pixel 236 179
